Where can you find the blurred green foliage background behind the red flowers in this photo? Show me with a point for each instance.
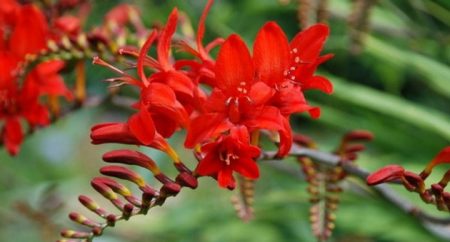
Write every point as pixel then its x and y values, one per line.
pixel 391 76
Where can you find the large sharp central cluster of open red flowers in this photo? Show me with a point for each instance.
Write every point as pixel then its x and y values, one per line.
pixel 223 103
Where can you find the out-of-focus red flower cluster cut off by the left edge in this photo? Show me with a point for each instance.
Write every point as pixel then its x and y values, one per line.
pixel 24 31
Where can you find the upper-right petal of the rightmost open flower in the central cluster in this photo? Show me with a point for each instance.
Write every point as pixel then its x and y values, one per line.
pixel 309 42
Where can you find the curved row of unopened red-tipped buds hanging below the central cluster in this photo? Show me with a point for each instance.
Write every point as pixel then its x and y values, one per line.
pixel 121 196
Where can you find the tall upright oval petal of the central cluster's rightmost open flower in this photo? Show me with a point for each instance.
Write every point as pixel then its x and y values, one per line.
pixel 271 54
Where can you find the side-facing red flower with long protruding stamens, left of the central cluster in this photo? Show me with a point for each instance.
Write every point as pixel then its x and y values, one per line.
pixel 160 111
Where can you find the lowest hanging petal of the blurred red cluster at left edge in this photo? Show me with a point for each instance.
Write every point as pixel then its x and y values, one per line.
pixel 13 135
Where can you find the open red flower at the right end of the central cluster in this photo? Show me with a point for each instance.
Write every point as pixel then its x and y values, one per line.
pixel 290 67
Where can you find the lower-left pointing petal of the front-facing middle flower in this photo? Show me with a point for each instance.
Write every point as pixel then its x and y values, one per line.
pixel 205 127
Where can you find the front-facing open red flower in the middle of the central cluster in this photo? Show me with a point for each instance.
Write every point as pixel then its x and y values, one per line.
pixel 237 99
